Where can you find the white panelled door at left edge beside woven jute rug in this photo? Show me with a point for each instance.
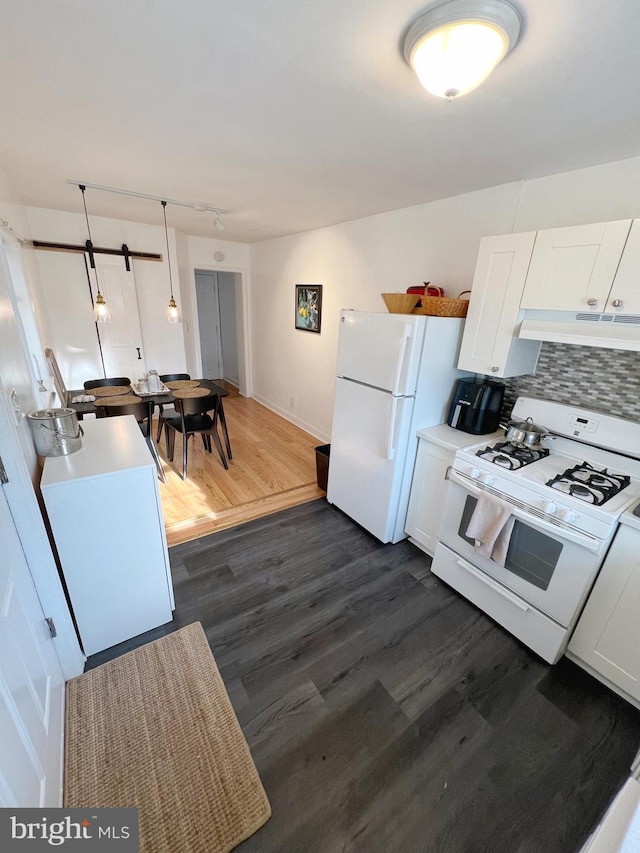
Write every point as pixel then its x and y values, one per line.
pixel 31 684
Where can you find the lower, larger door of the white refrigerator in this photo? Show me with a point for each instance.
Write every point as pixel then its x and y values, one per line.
pixel 368 448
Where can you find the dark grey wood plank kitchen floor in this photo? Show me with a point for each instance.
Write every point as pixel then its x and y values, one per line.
pixel 386 713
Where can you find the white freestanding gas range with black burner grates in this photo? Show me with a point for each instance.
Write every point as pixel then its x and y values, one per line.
pixel 565 497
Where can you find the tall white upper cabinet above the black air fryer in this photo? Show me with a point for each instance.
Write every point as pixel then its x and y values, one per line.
pixel 489 344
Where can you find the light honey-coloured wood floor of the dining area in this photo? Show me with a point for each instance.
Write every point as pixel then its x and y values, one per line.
pixel 273 467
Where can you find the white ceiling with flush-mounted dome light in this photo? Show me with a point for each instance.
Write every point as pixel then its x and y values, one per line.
pixel 296 114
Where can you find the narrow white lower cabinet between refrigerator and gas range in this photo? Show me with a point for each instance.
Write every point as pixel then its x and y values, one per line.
pixel 427 494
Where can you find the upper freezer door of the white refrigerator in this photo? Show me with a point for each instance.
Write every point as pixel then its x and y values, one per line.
pixel 381 350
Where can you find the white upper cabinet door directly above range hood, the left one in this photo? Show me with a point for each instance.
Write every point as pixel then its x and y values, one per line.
pixel 574 269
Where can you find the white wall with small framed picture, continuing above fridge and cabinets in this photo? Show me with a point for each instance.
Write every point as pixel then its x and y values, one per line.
pixel 356 261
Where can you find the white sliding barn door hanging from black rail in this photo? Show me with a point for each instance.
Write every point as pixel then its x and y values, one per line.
pixel 121 339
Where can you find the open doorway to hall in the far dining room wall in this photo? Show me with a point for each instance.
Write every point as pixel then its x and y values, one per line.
pixel 218 324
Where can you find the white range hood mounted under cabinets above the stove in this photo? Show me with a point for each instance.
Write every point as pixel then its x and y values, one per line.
pixel 610 331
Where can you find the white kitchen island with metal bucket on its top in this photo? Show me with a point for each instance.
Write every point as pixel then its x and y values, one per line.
pixel 104 509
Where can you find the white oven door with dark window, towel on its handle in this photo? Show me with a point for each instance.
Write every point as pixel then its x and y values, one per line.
pixel 549 568
